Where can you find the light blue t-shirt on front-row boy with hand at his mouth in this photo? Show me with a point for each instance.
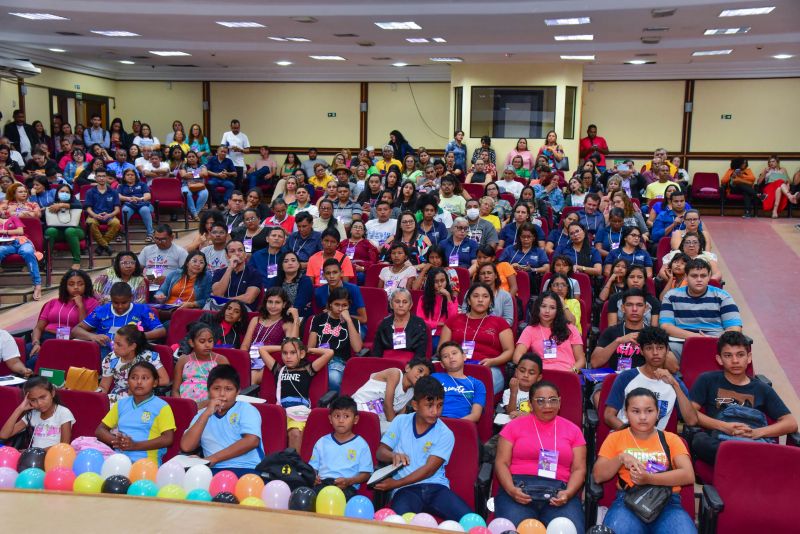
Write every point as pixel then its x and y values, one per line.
pixel 223 431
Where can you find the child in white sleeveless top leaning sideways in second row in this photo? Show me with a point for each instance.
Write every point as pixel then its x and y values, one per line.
pixel 387 392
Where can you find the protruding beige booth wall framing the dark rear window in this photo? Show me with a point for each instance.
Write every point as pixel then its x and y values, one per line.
pixel 559 75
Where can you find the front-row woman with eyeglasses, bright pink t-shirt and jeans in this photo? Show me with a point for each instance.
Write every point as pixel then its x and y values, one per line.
pixel 541 463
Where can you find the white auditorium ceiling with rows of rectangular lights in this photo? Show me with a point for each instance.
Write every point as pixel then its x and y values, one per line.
pixel 478 31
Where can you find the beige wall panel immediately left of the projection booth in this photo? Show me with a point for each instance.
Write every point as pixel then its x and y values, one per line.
pixel 392 107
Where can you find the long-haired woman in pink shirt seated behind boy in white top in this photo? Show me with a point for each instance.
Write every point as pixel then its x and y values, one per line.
pixel 558 343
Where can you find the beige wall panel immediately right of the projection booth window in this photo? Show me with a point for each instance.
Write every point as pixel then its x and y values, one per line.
pixel 635 116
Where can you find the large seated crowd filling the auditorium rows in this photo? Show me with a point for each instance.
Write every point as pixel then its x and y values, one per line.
pixel 511 279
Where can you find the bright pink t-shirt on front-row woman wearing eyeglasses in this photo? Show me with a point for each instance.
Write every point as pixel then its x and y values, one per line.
pixel 560 433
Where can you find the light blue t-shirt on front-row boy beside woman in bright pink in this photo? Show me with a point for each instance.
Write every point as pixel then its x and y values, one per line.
pixel 438 441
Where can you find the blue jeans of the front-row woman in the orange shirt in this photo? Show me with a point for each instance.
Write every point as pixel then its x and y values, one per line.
pixel 672 520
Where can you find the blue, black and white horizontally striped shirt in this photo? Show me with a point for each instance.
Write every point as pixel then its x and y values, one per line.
pixel 713 312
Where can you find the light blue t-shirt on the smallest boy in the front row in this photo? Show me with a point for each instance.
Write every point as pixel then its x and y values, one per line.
pixel 332 459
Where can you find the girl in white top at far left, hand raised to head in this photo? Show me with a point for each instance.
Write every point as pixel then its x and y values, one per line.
pixel 50 422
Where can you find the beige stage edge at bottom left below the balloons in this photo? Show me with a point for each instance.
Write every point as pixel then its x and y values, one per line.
pixel 68 513
